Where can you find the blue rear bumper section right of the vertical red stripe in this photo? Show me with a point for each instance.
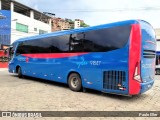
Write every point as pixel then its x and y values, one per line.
pixel 146 86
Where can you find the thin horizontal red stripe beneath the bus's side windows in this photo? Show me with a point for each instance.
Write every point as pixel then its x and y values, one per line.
pixel 53 55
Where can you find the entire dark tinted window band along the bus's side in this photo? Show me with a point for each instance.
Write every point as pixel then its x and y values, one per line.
pixel 92 41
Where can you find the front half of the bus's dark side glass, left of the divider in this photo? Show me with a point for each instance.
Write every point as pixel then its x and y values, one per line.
pixel 47 45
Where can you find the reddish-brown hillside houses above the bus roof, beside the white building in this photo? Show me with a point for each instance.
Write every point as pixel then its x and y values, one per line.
pixel 59 24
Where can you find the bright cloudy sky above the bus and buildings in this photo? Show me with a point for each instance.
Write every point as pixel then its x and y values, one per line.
pixel 95 12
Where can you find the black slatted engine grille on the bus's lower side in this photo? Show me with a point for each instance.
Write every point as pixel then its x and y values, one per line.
pixel 113 80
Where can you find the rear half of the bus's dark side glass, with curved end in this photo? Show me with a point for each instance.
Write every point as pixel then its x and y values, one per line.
pixel 101 40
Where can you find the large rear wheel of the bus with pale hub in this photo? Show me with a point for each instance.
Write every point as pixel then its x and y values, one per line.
pixel 75 82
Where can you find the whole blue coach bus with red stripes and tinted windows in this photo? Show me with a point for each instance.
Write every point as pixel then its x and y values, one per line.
pixel 116 58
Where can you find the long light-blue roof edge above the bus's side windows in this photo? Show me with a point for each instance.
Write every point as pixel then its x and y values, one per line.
pixel 58 33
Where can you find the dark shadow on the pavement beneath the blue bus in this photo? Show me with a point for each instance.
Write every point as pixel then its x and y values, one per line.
pixel 88 91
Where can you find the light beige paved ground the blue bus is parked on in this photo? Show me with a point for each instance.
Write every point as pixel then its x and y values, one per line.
pixel 32 94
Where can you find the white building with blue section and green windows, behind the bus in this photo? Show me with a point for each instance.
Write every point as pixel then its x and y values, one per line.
pixel 18 21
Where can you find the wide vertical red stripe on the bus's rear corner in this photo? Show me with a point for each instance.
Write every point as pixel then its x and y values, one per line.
pixel 134 57
